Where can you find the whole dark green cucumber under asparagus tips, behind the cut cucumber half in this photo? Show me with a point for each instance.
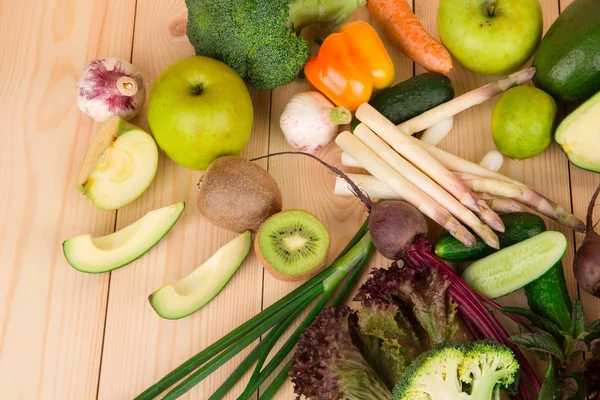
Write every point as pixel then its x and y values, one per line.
pixel 518 227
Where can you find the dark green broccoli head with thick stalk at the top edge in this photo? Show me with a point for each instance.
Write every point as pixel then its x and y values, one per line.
pixel 259 39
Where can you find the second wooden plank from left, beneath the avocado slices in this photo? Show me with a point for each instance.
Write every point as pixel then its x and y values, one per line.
pixel 140 347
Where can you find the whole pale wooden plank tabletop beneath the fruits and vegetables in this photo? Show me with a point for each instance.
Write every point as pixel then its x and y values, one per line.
pixel 69 335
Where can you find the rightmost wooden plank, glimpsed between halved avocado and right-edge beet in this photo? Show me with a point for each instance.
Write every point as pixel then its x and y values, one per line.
pixel 583 184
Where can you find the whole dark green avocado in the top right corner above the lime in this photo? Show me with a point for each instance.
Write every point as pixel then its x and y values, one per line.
pixel 568 58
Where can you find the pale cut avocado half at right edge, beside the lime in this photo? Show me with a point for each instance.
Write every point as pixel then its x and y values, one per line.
pixel 578 135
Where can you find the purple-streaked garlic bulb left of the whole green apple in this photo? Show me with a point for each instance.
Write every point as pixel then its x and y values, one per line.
pixel 109 86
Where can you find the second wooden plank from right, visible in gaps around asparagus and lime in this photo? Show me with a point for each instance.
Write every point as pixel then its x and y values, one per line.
pixel 471 138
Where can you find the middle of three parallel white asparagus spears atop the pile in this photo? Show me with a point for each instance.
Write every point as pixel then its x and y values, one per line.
pixel 426 184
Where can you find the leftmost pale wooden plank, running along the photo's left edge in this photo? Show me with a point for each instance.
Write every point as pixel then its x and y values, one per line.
pixel 51 316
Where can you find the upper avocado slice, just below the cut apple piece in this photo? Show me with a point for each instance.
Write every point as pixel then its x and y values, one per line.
pixel 103 254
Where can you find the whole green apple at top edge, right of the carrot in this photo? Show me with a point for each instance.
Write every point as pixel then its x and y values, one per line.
pixel 491 37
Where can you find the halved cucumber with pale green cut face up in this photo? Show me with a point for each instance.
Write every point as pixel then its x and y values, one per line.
pixel 515 266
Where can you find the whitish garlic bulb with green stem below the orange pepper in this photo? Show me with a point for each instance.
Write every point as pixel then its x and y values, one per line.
pixel 309 121
